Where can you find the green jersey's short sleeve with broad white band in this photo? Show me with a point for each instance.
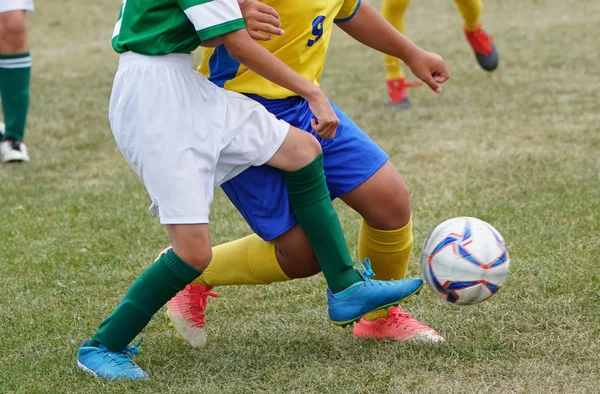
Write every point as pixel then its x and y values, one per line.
pixel 213 18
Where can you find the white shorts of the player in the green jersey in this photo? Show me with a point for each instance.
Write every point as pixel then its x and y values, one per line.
pixel 183 135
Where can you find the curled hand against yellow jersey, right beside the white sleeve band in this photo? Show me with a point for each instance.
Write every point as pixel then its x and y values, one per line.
pixel 262 21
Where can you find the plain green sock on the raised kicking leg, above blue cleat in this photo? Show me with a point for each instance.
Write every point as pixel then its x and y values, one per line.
pixel 314 211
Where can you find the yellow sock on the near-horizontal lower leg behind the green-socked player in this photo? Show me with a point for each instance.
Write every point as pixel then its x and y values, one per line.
pixel 246 261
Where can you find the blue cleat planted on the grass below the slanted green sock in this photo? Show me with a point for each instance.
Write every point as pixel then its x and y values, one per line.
pixel 102 362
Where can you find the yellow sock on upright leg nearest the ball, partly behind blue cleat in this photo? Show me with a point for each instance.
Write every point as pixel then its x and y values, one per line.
pixel 388 250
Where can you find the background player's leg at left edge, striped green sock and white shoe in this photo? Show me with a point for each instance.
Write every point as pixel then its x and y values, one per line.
pixel 15 72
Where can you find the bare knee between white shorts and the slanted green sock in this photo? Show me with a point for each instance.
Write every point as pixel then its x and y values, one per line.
pixel 191 242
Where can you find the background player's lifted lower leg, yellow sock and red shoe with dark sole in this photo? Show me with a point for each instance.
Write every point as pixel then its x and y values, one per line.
pixel 482 44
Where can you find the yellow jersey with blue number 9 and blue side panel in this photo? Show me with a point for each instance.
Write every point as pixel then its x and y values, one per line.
pixel 303 47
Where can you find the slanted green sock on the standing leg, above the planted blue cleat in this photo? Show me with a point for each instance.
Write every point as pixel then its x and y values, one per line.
pixel 150 291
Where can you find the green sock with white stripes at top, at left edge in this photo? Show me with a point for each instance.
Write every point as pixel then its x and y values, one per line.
pixel 15 72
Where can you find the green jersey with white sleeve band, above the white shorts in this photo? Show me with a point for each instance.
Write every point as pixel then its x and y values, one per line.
pixel 158 27
